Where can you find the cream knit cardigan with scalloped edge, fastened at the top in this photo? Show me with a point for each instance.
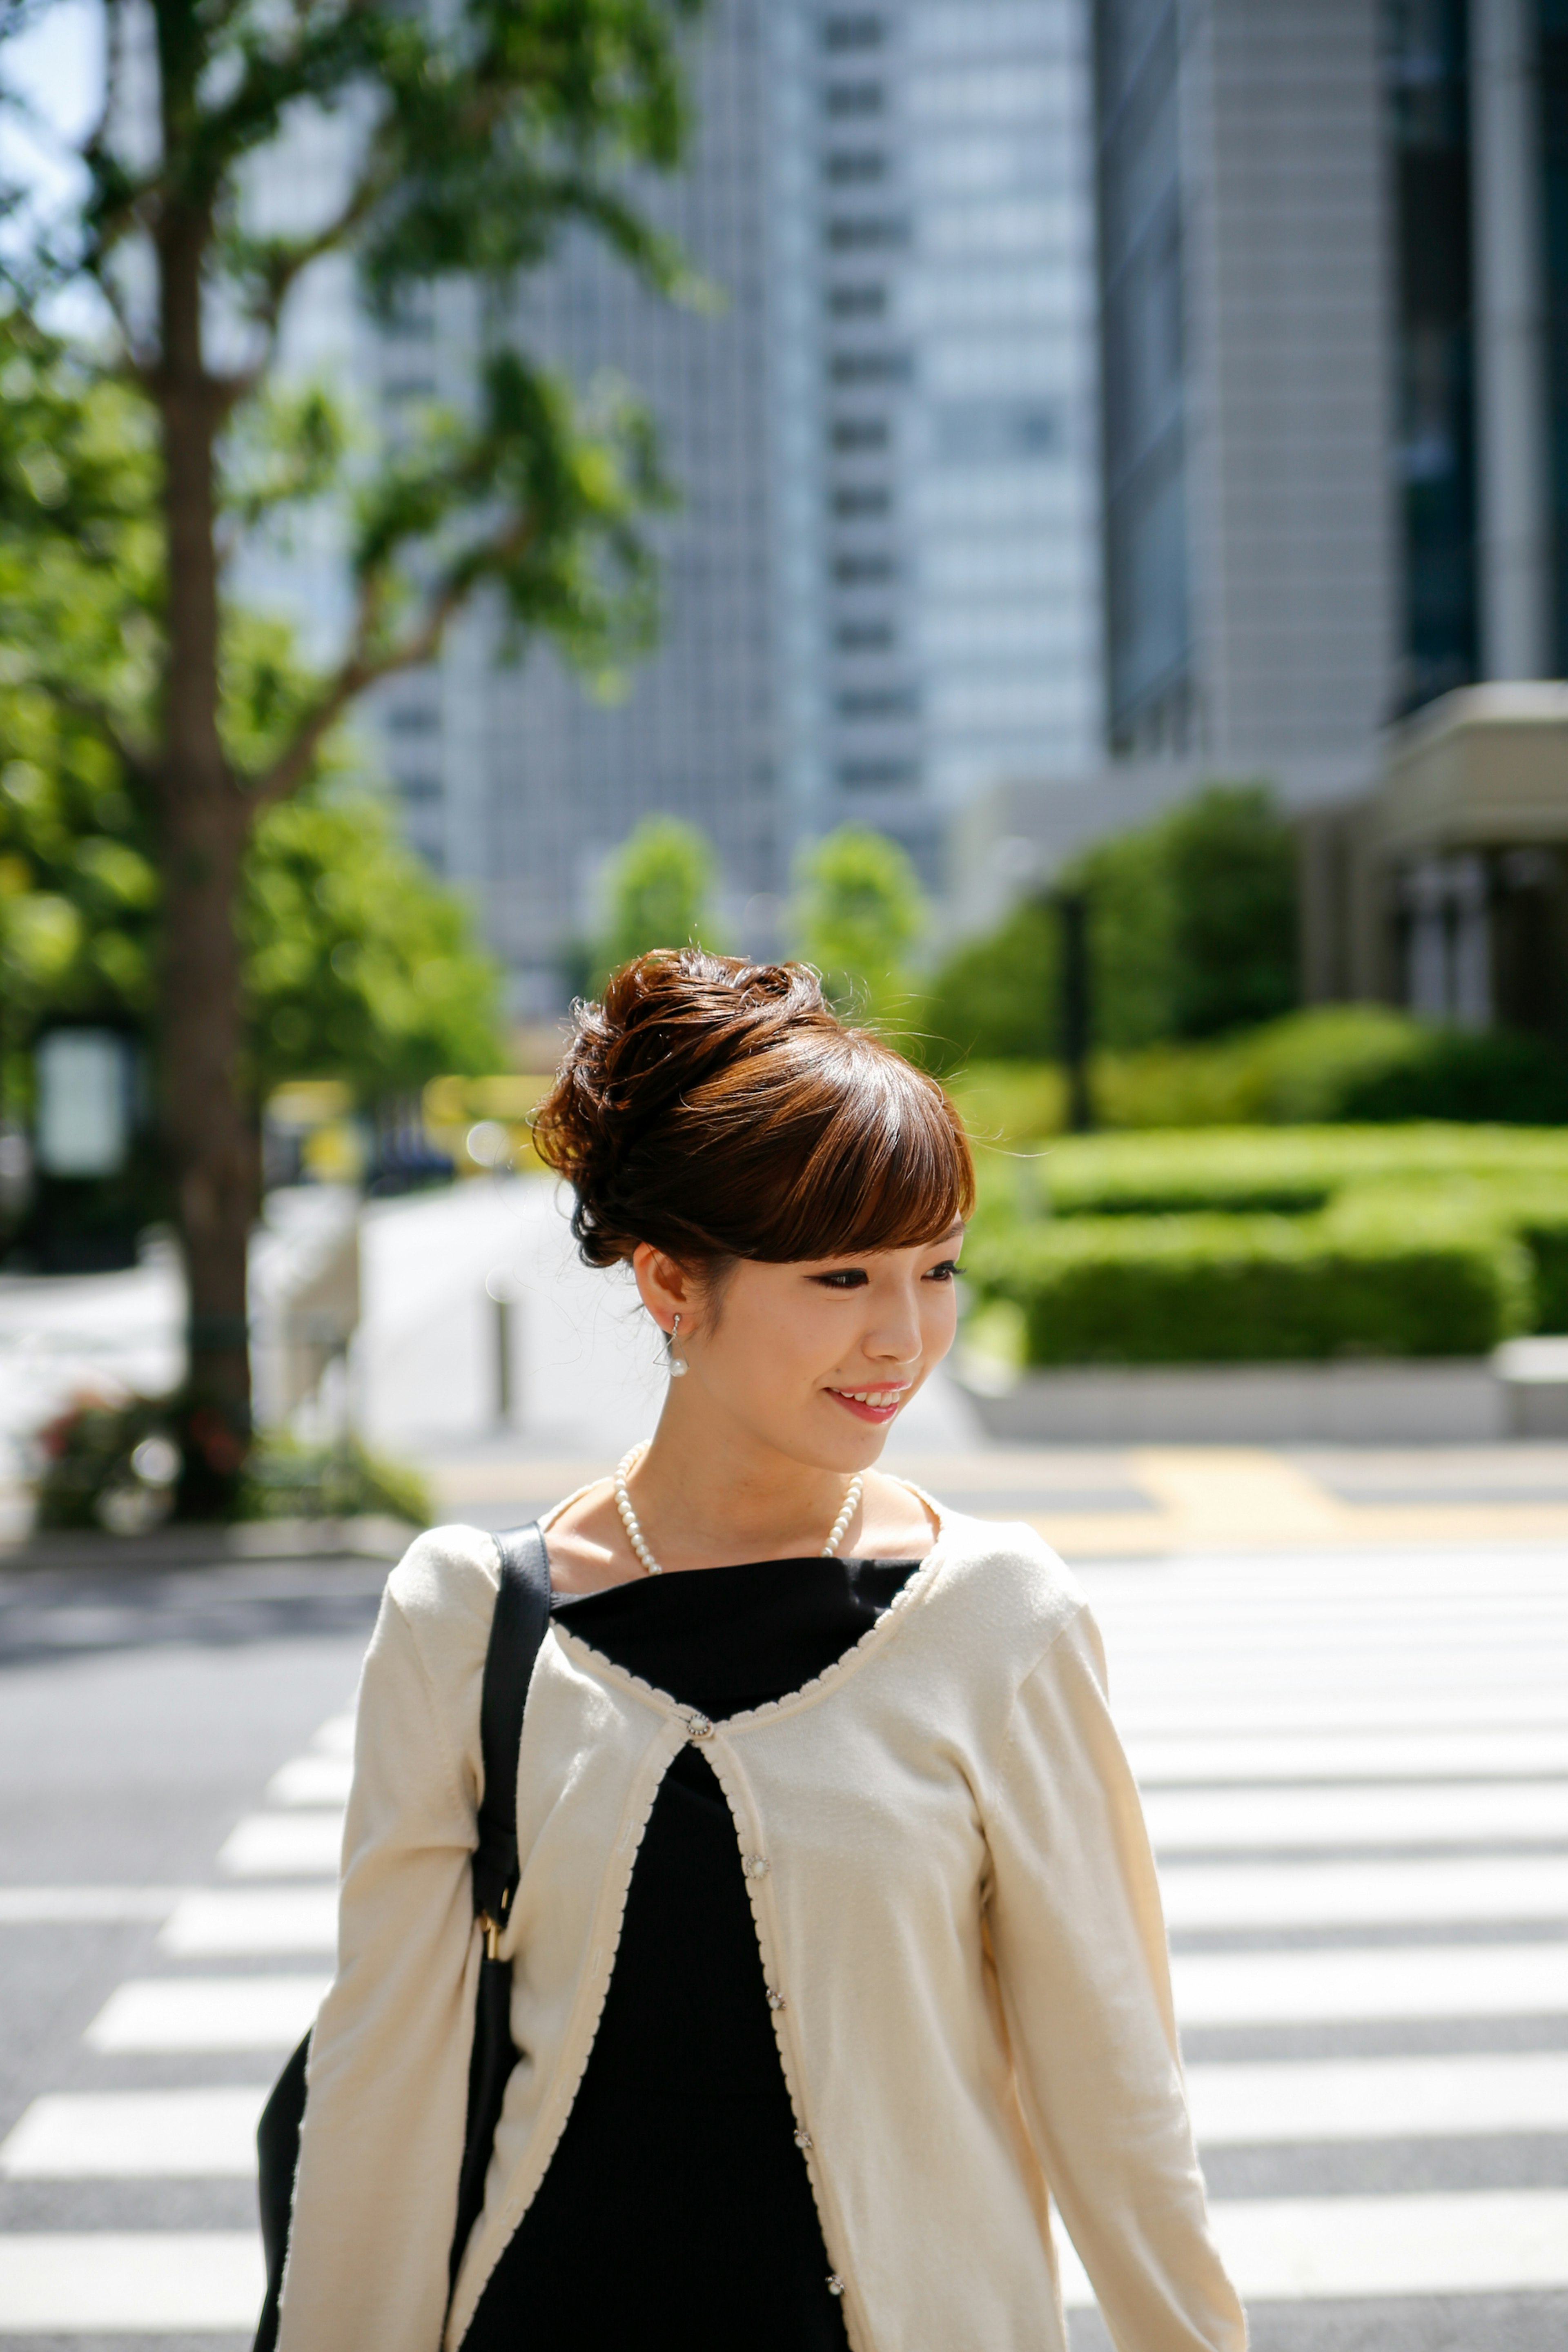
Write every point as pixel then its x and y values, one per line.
pixel 958 1923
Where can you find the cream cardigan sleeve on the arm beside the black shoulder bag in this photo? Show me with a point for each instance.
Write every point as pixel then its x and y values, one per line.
pixel 375 2200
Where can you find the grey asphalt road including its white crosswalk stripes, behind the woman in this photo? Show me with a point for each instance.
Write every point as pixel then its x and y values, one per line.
pixel 1358 1777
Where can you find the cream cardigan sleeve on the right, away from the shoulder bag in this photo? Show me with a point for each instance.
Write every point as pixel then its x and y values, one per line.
pixel 1080 1949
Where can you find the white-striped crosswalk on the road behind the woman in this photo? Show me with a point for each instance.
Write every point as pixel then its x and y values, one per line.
pixel 1358 1782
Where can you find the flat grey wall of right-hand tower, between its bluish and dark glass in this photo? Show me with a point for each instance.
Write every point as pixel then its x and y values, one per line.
pixel 1292 361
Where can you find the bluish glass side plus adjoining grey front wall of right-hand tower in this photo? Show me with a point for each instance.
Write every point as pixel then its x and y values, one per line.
pixel 1247 361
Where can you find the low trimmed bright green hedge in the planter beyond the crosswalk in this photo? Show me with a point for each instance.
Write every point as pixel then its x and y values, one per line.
pixel 1278 1243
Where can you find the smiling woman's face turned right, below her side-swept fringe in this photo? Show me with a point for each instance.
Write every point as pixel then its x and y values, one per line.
pixel 815 1358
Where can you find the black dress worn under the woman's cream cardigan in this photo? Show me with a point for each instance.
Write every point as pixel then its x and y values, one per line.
pixel 678 2210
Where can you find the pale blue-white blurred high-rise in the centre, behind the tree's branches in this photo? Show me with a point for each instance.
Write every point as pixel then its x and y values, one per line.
pixel 883 584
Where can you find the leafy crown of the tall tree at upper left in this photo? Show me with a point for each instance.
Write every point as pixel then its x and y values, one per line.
pixel 481 138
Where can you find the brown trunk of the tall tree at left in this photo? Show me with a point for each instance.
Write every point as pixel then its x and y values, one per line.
pixel 203 820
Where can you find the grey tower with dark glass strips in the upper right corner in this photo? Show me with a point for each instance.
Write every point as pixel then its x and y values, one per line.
pixel 1334 293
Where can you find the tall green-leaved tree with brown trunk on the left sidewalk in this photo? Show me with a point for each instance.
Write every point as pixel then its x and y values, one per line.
pixel 483 131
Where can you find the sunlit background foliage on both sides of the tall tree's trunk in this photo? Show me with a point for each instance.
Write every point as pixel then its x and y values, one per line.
pixel 359 963
